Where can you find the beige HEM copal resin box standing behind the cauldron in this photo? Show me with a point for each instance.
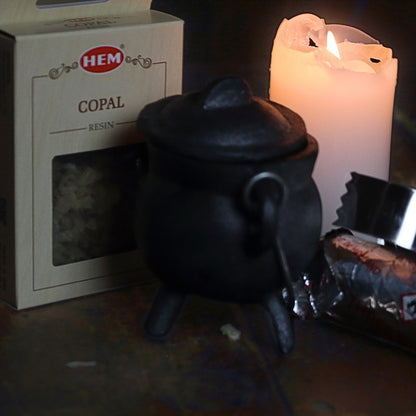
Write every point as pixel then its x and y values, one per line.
pixel 72 82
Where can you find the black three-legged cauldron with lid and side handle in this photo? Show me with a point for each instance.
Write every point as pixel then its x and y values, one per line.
pixel 228 209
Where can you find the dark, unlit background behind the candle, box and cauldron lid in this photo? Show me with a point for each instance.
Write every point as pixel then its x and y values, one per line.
pixel 235 37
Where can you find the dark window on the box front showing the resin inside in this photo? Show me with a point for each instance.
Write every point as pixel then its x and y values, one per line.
pixel 94 195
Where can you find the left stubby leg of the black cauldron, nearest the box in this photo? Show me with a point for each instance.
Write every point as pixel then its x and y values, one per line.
pixel 164 312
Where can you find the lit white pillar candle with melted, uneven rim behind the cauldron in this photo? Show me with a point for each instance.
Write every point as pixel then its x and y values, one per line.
pixel 346 102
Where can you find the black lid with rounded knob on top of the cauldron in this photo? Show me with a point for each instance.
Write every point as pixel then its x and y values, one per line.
pixel 223 122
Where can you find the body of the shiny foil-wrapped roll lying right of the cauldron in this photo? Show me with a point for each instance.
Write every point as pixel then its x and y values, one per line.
pixel 378 286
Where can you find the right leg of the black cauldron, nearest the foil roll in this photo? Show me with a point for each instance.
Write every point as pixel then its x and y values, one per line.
pixel 281 322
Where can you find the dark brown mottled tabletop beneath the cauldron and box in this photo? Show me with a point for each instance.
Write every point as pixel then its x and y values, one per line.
pixel 89 356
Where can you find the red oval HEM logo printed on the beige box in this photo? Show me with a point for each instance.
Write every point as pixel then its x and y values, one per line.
pixel 101 59
